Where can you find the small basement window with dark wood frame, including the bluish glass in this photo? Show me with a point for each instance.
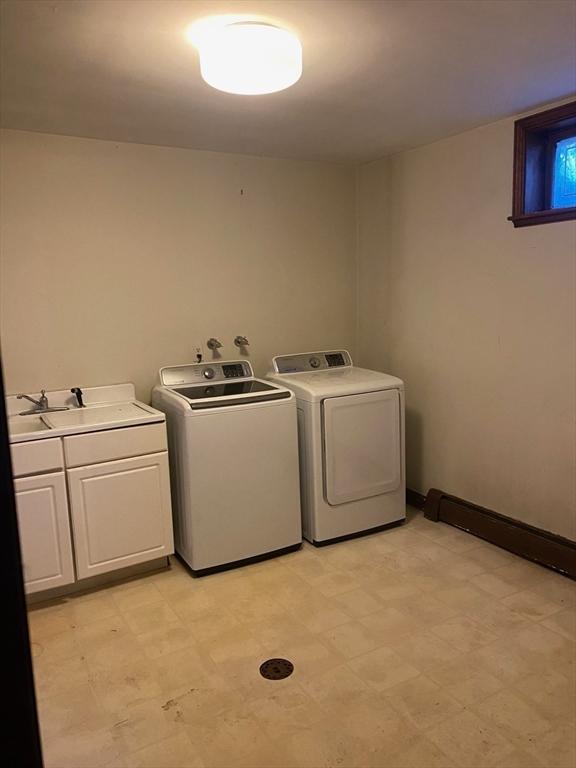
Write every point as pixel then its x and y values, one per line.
pixel 545 167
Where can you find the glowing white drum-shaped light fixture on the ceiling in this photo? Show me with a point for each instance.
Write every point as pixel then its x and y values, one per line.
pixel 248 57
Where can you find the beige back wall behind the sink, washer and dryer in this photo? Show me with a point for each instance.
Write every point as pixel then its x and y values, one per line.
pixel 118 258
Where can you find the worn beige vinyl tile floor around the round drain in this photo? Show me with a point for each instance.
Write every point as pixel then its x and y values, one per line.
pixel 417 647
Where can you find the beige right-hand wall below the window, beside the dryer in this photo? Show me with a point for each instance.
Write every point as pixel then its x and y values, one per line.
pixel 479 319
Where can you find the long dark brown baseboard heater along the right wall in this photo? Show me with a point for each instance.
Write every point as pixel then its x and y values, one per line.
pixel 525 540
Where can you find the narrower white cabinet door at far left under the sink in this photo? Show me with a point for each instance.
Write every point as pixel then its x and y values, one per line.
pixel 44 531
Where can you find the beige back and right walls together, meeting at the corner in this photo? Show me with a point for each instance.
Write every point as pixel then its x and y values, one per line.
pixel 118 258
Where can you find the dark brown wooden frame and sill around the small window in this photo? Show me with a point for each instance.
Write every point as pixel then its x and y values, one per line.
pixel 550 123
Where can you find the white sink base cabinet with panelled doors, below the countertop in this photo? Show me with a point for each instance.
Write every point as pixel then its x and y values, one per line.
pixel 91 503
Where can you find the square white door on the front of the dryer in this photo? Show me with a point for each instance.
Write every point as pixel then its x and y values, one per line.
pixel 361 445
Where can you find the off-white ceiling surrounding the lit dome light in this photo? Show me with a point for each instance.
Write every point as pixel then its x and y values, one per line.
pixel 379 75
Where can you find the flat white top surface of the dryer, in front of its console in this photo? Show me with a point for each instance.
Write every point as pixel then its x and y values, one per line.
pixel 336 382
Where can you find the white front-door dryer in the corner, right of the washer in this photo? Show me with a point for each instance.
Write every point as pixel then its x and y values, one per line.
pixel 351 436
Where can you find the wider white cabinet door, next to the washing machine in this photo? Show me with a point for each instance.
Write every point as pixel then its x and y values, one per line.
pixel 121 513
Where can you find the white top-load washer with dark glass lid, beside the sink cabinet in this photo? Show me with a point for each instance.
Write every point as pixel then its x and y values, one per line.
pixel 233 451
